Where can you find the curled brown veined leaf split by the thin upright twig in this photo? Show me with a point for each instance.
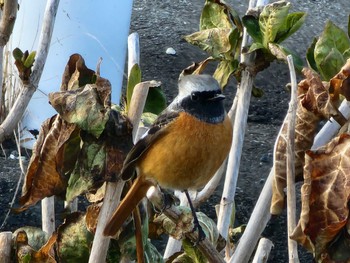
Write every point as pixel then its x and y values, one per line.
pixel 314 104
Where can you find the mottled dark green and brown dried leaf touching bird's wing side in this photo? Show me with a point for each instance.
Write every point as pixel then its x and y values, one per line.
pixel 100 159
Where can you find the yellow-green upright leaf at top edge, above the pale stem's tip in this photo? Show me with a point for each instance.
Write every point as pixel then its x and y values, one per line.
pixel 272 19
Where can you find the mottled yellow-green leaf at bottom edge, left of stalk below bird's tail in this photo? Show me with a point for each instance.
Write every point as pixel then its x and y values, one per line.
pixel 74 240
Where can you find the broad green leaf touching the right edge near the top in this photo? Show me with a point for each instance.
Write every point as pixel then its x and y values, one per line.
pixel 330 49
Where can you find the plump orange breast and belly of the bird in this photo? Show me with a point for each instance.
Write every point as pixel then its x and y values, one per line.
pixel 189 155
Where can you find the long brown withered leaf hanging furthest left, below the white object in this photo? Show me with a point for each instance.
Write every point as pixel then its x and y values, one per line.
pixel 48 166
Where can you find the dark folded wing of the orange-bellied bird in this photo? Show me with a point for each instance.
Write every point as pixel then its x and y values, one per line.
pixel 156 130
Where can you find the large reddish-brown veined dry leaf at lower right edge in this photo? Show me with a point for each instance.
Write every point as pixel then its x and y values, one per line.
pixel 325 196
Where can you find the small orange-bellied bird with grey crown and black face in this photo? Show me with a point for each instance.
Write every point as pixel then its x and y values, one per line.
pixel 182 149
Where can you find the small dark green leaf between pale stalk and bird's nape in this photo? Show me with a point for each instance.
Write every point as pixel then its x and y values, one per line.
pixel 156 100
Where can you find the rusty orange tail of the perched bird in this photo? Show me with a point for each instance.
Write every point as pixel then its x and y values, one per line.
pixel 137 191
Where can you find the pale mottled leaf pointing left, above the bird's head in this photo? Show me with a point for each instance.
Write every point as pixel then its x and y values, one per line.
pixel 215 41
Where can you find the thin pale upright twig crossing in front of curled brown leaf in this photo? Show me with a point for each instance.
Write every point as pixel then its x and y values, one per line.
pixel 291 199
